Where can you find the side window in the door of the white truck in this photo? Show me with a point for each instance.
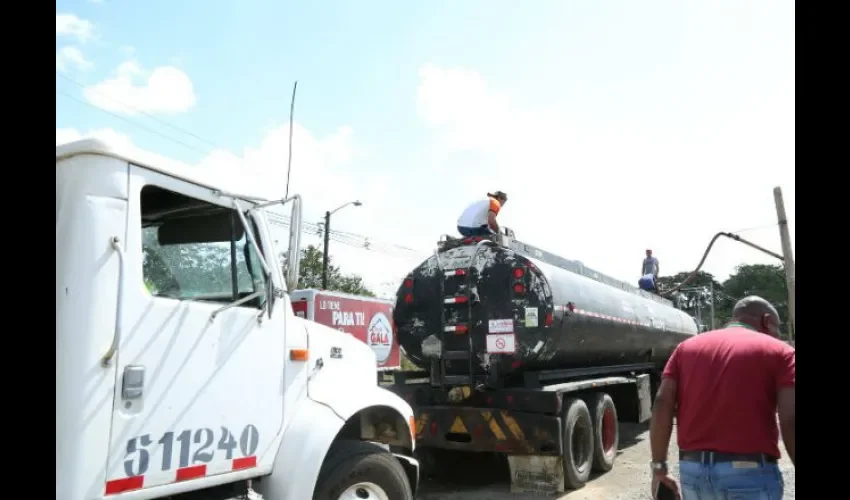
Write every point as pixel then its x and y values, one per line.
pixel 196 251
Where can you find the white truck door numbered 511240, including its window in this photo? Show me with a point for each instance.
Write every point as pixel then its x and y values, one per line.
pixel 200 363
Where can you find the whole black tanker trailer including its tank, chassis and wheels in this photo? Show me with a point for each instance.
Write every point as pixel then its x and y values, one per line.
pixel 532 355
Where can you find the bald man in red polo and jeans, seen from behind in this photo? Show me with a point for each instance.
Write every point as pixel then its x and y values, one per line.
pixel 728 385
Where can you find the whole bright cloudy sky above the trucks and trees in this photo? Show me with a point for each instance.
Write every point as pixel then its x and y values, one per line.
pixel 613 126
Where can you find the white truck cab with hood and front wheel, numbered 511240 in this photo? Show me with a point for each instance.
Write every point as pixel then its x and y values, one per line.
pixel 181 369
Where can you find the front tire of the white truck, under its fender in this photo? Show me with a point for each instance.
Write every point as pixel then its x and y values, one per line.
pixel 361 470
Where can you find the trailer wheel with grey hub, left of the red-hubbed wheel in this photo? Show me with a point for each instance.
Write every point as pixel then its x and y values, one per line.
pixel 578 443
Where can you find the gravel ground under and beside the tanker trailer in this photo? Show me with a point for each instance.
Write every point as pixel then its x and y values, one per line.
pixel 486 477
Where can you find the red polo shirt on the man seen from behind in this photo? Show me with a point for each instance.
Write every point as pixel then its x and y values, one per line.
pixel 727 385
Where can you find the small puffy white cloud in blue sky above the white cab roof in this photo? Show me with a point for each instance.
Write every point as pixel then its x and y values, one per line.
pixel 165 90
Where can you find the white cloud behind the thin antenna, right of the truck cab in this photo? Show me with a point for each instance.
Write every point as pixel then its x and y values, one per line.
pixel 327 172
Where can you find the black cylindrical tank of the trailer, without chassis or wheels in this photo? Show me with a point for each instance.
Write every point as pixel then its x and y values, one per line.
pixel 519 308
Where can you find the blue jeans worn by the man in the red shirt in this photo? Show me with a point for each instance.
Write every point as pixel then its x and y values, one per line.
pixel 725 481
